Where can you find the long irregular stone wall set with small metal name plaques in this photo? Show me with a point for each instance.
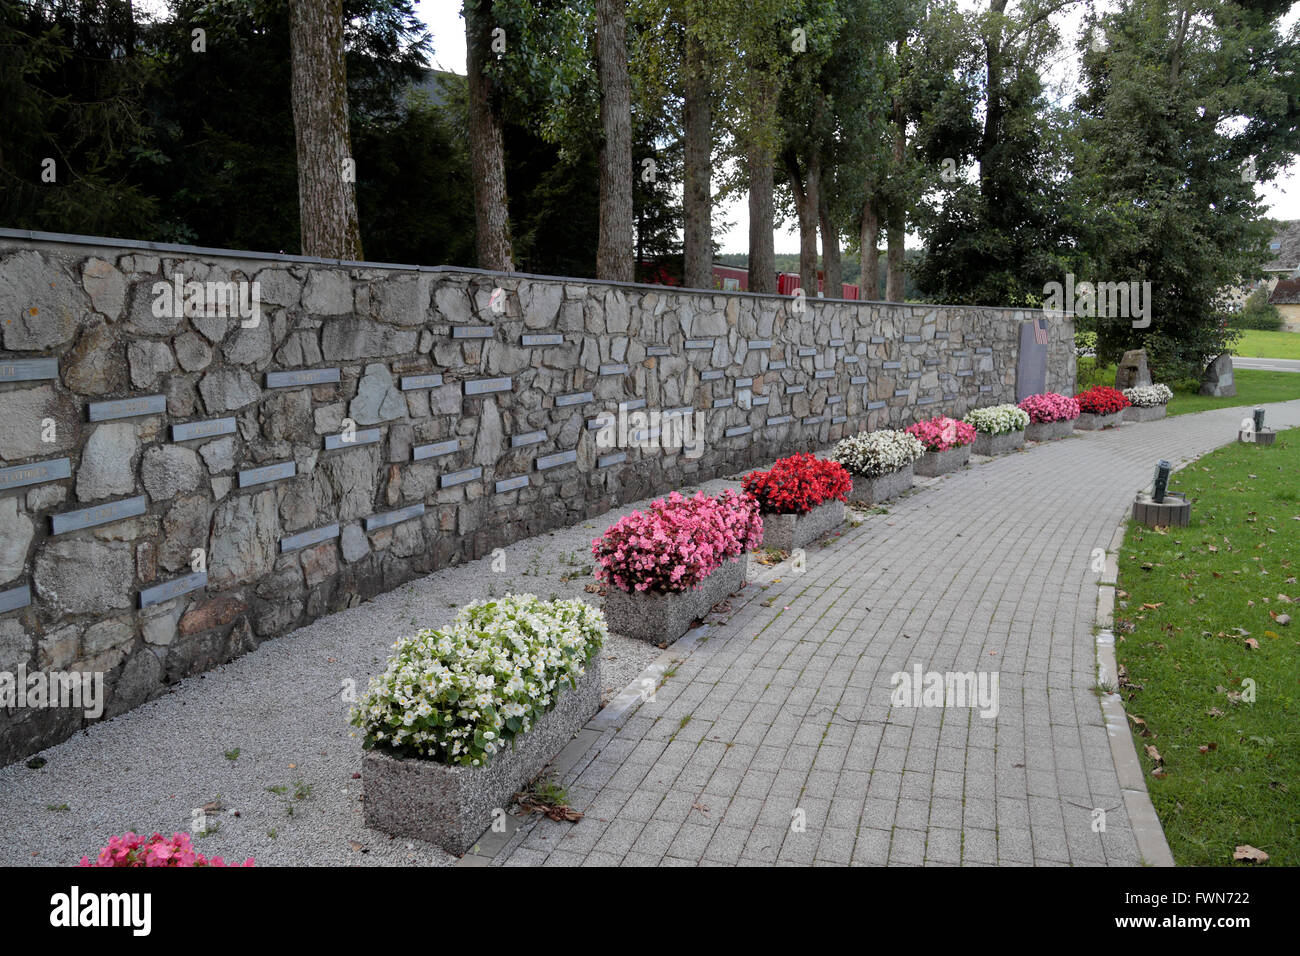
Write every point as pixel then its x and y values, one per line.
pixel 137 448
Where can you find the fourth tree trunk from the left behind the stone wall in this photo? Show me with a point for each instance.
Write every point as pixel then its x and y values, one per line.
pixel 697 201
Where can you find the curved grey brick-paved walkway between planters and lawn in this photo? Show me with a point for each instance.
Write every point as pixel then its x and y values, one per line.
pixel 785 712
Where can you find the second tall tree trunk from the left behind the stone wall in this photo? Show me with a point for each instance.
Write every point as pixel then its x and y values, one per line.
pixel 487 148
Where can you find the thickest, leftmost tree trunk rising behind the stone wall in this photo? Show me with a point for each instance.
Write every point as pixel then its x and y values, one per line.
pixel 327 175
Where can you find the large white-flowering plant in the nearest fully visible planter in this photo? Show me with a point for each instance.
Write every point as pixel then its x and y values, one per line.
pixel 461 694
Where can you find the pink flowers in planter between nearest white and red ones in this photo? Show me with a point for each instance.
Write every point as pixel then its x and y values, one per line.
pixel 678 543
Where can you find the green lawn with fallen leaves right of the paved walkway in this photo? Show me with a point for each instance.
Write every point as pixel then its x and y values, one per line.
pixel 1195 626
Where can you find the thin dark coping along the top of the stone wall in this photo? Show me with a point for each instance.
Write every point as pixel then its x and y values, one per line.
pixel 68 239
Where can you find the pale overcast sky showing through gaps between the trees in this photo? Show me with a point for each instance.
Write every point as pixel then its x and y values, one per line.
pixel 449 54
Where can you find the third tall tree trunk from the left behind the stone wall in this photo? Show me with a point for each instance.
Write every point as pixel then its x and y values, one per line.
pixel 614 249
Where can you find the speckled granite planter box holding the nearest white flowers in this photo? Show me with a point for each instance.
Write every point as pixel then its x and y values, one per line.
pixel 452 806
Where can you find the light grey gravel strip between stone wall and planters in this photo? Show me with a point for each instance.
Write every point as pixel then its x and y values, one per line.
pixel 292 781
